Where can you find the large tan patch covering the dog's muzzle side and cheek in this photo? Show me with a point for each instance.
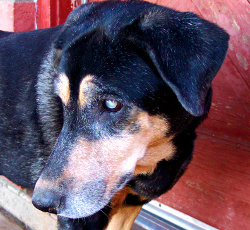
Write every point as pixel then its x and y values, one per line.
pixel 113 158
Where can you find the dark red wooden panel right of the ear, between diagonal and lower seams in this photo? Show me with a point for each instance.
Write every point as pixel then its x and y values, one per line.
pixel 229 114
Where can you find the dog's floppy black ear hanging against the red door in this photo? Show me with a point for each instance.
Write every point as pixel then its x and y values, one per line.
pixel 186 50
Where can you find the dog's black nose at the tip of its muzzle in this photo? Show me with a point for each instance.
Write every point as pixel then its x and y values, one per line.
pixel 46 201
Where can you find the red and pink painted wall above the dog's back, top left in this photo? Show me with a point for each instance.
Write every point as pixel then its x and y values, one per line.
pixel 23 16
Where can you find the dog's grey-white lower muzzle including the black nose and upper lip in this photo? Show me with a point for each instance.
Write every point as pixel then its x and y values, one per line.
pixel 77 201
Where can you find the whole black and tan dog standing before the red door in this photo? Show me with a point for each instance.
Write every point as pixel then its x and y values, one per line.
pixel 99 114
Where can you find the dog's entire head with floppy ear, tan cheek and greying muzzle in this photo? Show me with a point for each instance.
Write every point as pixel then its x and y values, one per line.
pixel 130 75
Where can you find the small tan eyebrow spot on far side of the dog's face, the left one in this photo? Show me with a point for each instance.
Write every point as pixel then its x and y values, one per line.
pixel 63 88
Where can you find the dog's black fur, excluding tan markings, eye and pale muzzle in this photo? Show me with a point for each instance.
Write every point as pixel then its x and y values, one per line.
pixel 158 59
